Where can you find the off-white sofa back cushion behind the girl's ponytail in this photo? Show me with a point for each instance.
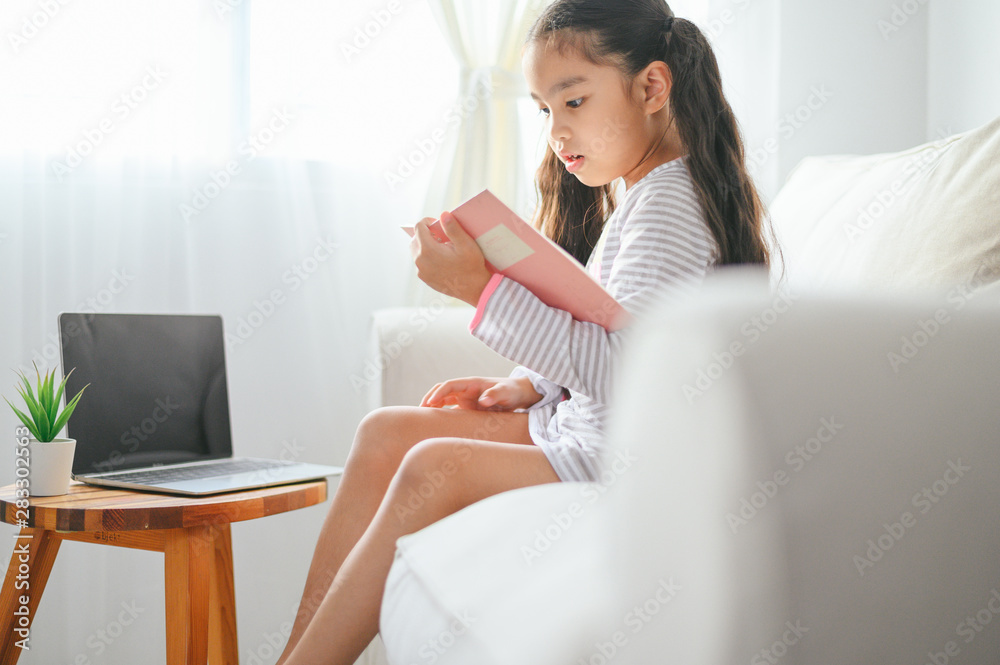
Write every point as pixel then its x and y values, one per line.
pixel 928 216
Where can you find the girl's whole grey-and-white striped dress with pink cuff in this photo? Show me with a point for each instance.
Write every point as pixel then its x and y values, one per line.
pixel 656 244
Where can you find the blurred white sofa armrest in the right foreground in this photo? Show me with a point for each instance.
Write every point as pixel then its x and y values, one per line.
pixel 826 496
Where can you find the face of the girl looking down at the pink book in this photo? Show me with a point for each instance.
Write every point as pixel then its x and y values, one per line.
pixel 598 130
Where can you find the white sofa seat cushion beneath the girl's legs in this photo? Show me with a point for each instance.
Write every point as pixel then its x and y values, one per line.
pixel 514 579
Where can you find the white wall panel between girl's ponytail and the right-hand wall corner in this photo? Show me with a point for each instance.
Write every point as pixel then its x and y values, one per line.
pixel 877 85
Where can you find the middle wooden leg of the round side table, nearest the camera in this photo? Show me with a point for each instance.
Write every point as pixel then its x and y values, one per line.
pixel 188 560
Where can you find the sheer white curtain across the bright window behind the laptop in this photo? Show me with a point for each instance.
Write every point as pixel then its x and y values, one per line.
pixel 294 249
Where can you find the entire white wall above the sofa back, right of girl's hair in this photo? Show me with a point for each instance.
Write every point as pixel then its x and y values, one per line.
pixel 853 77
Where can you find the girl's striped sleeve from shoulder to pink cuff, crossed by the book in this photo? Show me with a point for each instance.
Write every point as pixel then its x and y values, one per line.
pixel 663 245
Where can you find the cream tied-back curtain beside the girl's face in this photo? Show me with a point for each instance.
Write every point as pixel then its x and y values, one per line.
pixel 485 143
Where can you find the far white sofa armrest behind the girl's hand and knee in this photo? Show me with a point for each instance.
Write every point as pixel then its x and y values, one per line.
pixel 412 348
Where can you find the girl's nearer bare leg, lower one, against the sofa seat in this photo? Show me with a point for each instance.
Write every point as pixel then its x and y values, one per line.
pixel 464 471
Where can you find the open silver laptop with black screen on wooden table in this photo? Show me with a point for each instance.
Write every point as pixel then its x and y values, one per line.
pixel 155 415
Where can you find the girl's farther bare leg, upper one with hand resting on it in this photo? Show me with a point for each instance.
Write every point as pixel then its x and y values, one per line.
pixel 382 439
